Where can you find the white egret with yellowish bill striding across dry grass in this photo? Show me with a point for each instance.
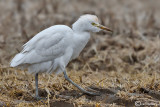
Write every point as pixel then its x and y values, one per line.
pixel 53 48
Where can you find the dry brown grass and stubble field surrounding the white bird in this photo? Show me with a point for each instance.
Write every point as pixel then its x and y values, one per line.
pixel 124 67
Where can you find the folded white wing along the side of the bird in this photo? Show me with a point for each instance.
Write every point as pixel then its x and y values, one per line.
pixel 47 45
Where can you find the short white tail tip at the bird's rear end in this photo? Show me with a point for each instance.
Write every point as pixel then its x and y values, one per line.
pixel 17 60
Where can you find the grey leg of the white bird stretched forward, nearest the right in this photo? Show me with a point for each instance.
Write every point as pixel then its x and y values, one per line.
pixel 80 88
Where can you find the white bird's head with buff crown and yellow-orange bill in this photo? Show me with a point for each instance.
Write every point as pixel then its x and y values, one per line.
pixel 89 23
